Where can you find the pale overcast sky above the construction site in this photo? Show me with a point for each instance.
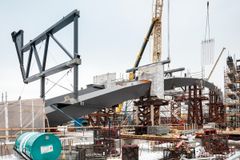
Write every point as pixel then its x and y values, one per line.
pixel 110 35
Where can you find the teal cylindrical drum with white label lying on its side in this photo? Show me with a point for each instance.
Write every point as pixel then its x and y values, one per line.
pixel 38 146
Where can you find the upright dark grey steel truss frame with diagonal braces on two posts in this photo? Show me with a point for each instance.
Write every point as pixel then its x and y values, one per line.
pixel 25 53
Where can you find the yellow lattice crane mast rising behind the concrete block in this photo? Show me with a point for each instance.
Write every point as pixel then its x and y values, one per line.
pixel 157 31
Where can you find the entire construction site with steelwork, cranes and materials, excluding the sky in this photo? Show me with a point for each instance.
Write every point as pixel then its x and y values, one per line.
pixel 151 113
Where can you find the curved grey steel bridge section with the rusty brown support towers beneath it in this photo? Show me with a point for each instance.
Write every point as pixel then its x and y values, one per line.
pixel 194 97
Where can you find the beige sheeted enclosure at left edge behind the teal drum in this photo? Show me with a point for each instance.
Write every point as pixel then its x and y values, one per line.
pixel 21 114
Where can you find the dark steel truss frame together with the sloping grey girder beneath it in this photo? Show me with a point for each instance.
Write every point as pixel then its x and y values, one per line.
pixel 70 106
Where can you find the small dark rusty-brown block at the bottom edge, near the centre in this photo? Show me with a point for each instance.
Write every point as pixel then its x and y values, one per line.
pixel 130 152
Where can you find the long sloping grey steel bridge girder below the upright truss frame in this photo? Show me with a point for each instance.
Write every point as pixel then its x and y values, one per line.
pixel 61 110
